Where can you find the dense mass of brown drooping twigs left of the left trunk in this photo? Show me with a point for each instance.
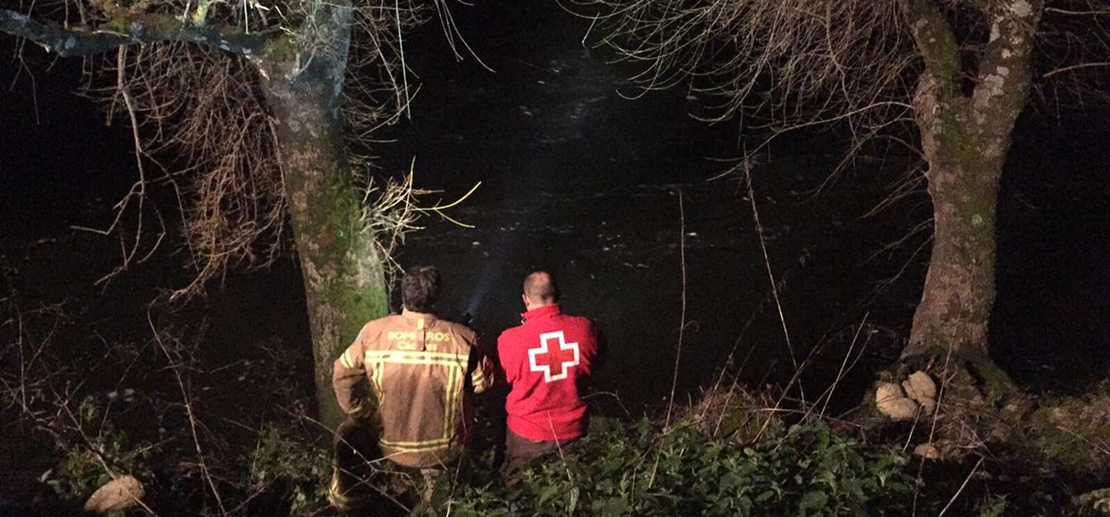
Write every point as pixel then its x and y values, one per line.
pixel 201 130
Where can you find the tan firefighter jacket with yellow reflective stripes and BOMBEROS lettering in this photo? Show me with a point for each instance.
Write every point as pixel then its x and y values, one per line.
pixel 423 372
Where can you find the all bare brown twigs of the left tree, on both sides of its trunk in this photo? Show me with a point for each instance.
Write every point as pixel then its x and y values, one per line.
pixel 204 131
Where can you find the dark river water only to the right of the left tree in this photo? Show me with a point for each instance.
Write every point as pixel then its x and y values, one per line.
pixel 612 196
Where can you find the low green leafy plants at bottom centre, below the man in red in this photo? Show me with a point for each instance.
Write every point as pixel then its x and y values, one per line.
pixel 804 470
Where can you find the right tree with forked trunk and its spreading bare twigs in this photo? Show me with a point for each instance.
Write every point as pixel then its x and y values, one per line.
pixel 945 79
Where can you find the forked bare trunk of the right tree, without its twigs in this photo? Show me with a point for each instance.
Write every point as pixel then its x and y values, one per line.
pixel 965 140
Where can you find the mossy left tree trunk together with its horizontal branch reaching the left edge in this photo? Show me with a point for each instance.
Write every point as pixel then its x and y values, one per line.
pixel 341 265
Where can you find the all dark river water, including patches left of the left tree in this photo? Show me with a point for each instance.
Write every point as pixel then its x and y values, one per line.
pixel 611 196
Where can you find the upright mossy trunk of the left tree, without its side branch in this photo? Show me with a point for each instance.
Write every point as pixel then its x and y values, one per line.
pixel 342 269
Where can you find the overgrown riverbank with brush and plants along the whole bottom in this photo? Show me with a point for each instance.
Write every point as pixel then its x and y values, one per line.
pixel 730 452
